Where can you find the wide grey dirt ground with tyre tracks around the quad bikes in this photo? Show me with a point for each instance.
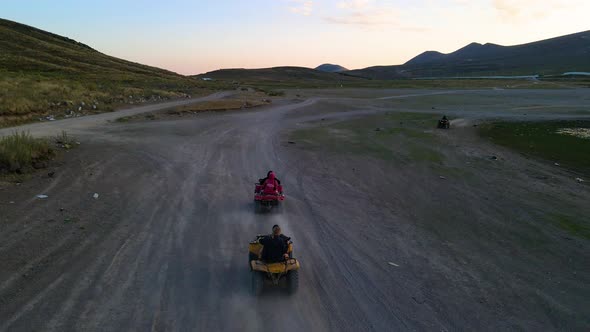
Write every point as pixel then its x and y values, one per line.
pixel 164 246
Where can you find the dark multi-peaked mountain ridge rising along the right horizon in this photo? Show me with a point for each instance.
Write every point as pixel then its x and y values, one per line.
pixel 547 57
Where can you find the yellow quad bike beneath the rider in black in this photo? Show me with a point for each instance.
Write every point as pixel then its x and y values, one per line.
pixel 284 273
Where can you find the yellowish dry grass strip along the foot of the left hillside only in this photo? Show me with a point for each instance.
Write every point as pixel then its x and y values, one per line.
pixel 26 99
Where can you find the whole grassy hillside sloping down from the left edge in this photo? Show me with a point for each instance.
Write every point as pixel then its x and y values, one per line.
pixel 43 74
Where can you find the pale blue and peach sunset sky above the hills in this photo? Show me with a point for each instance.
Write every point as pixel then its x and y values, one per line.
pixel 192 37
